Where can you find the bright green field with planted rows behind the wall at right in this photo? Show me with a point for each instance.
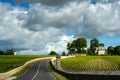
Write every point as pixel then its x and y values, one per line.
pixel 91 63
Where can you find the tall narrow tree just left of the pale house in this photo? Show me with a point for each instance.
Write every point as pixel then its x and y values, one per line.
pixel 94 44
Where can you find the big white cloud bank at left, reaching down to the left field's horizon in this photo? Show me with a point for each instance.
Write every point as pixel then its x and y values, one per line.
pixel 14 35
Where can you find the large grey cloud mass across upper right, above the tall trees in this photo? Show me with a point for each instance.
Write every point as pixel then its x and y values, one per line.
pixel 87 20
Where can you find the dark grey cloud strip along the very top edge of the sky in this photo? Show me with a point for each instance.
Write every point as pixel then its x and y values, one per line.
pixel 62 2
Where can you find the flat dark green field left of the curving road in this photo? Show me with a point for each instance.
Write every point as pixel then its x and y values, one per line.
pixel 9 62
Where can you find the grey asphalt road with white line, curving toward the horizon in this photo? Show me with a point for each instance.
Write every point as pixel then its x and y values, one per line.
pixel 38 71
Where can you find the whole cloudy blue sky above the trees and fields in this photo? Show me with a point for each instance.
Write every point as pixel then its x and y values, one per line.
pixel 40 26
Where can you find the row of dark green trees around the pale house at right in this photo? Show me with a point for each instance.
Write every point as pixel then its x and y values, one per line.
pixel 80 46
